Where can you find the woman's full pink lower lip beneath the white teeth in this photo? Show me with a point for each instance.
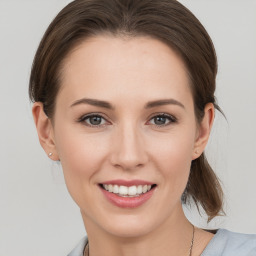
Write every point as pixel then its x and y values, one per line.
pixel 128 202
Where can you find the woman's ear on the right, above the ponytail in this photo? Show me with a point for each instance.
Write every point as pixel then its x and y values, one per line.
pixel 204 129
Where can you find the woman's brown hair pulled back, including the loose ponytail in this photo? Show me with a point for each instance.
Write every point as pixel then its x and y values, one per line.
pixel 165 20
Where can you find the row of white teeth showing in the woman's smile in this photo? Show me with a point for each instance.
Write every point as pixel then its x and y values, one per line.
pixel 127 191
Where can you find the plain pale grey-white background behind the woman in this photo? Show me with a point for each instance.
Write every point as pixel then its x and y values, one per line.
pixel 37 215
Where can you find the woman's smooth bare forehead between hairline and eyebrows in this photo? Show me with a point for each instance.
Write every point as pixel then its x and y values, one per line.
pixel 105 66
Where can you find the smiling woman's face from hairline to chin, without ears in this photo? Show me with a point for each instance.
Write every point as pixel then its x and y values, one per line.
pixel 125 117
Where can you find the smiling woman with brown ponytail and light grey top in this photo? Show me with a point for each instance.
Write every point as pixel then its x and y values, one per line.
pixel 124 99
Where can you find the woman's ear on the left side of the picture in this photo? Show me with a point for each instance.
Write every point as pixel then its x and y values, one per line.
pixel 44 130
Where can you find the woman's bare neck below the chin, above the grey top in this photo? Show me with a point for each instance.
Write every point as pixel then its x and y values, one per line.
pixel 171 238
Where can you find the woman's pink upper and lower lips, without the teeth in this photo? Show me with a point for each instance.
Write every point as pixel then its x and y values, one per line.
pixel 128 202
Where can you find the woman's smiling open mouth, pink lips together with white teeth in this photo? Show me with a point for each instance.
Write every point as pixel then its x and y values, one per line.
pixel 127 194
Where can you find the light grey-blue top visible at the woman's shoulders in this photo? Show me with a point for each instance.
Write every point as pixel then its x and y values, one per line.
pixel 224 243
